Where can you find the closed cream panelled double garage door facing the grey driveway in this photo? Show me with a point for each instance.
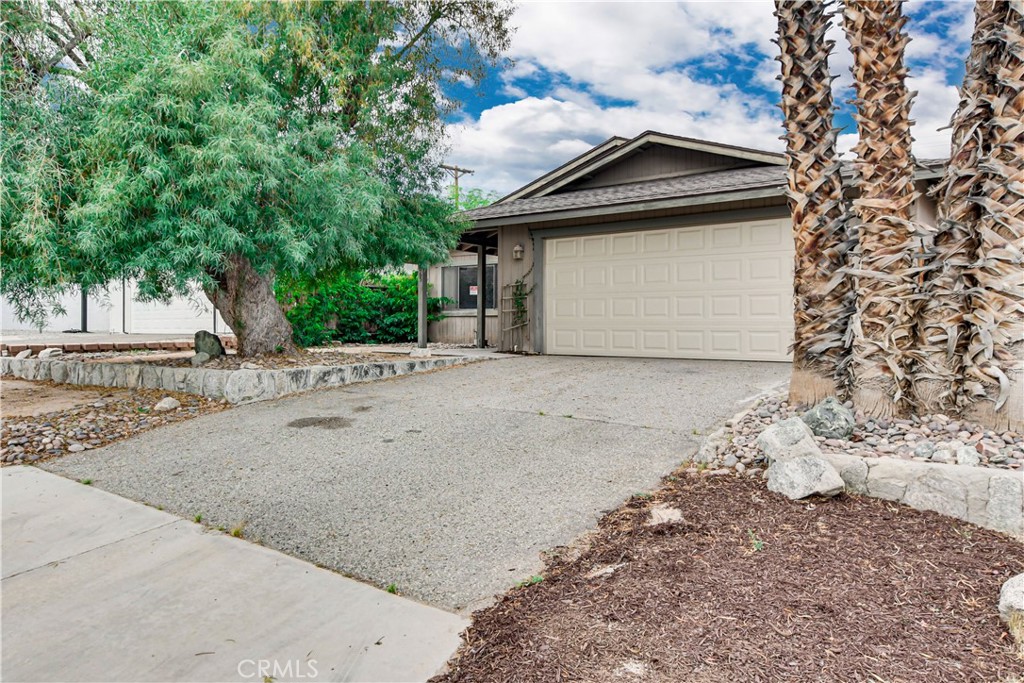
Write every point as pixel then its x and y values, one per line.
pixel 720 291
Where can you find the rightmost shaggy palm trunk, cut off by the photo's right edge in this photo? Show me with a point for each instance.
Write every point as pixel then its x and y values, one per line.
pixel 995 362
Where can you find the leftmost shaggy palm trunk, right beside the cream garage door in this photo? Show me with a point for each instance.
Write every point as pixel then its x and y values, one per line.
pixel 823 297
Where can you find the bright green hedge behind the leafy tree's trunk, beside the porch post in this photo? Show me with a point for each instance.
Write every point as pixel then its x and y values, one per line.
pixel 355 308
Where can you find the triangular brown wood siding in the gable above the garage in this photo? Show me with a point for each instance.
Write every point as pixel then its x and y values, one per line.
pixel 657 161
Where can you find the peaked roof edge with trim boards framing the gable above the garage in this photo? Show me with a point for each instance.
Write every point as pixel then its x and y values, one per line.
pixel 618 149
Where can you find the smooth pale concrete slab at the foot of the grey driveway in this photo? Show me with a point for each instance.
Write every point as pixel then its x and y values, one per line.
pixel 97 588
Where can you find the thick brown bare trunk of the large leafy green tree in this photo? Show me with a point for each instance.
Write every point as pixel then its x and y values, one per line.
pixel 246 302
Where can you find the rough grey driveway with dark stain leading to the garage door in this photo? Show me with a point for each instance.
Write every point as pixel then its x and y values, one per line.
pixel 448 485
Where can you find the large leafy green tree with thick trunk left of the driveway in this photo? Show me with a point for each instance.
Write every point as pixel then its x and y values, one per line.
pixel 225 144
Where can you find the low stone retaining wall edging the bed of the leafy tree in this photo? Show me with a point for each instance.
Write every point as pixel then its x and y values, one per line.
pixel 235 387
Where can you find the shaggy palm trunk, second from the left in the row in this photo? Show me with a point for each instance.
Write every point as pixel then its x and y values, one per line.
pixel 889 243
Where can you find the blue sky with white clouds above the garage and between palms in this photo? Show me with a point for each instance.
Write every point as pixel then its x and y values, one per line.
pixel 587 71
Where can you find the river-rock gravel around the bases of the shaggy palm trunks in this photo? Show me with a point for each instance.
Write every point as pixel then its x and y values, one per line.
pixel 932 439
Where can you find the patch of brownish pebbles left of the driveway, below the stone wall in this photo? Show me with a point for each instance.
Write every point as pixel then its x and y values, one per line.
pixel 107 416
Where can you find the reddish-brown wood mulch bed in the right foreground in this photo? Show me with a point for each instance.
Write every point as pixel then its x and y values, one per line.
pixel 753 587
